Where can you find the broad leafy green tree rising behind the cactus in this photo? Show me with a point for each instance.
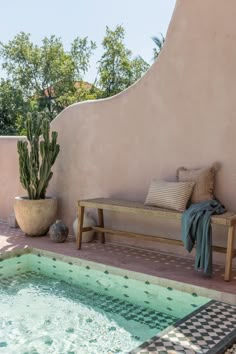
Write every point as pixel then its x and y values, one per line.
pixel 46 74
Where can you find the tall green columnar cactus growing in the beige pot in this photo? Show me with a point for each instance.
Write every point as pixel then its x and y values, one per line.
pixel 37 156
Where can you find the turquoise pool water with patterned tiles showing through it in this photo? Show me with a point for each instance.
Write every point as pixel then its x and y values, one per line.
pixel 50 306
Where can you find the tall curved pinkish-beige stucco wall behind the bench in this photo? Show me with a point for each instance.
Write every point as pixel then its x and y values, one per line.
pixel 181 113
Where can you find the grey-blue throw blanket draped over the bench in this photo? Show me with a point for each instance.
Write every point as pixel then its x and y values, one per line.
pixel 196 227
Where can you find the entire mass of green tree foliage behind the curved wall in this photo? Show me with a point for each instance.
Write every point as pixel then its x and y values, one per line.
pixel 47 78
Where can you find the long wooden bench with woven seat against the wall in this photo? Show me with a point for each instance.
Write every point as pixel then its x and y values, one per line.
pixel 227 219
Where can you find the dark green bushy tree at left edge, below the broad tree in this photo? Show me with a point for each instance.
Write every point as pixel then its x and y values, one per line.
pixel 12 108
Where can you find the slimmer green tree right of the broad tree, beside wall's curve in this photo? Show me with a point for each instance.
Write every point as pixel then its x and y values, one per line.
pixel 117 70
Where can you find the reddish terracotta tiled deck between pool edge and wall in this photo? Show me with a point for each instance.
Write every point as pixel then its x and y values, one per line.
pixel 144 261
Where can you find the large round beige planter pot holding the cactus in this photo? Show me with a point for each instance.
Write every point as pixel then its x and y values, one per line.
pixel 34 217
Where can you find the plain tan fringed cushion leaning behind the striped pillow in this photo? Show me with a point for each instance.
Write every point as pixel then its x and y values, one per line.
pixel 204 182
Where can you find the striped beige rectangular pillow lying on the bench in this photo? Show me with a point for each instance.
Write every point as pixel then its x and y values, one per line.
pixel 169 195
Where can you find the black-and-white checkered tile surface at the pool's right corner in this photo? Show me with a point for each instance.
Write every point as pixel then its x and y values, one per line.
pixel 211 329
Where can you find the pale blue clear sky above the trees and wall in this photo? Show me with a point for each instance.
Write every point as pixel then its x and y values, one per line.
pixel 142 19
